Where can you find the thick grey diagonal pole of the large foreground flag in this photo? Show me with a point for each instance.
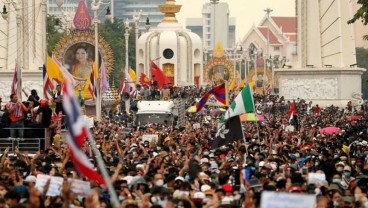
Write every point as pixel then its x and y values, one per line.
pixel 101 166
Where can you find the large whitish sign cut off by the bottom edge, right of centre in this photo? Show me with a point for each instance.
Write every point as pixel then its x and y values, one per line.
pixel 287 200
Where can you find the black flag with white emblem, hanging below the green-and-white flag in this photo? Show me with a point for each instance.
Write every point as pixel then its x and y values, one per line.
pixel 228 132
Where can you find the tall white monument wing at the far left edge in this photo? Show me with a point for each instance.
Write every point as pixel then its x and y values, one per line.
pixel 23 42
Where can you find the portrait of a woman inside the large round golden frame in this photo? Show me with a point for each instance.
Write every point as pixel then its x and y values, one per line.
pixel 79 59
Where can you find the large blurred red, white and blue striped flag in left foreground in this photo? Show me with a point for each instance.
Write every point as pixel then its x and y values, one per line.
pixel 77 132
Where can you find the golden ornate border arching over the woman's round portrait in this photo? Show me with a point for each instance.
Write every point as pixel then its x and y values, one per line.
pixel 76 37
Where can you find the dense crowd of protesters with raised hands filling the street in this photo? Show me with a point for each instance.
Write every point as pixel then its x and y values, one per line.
pixel 179 168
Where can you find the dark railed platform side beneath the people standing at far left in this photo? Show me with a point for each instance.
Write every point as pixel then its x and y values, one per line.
pixel 33 140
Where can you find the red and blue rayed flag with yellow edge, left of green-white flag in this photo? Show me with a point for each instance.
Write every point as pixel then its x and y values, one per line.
pixel 218 93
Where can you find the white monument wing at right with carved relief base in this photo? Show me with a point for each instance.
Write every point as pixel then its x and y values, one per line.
pixel 326 56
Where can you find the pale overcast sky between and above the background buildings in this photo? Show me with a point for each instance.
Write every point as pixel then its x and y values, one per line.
pixel 246 12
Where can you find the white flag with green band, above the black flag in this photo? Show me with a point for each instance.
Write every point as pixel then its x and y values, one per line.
pixel 243 103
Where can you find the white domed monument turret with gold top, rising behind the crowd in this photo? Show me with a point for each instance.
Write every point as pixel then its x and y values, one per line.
pixel 177 51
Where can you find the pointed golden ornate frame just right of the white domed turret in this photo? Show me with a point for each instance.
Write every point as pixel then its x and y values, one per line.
pixel 219 68
